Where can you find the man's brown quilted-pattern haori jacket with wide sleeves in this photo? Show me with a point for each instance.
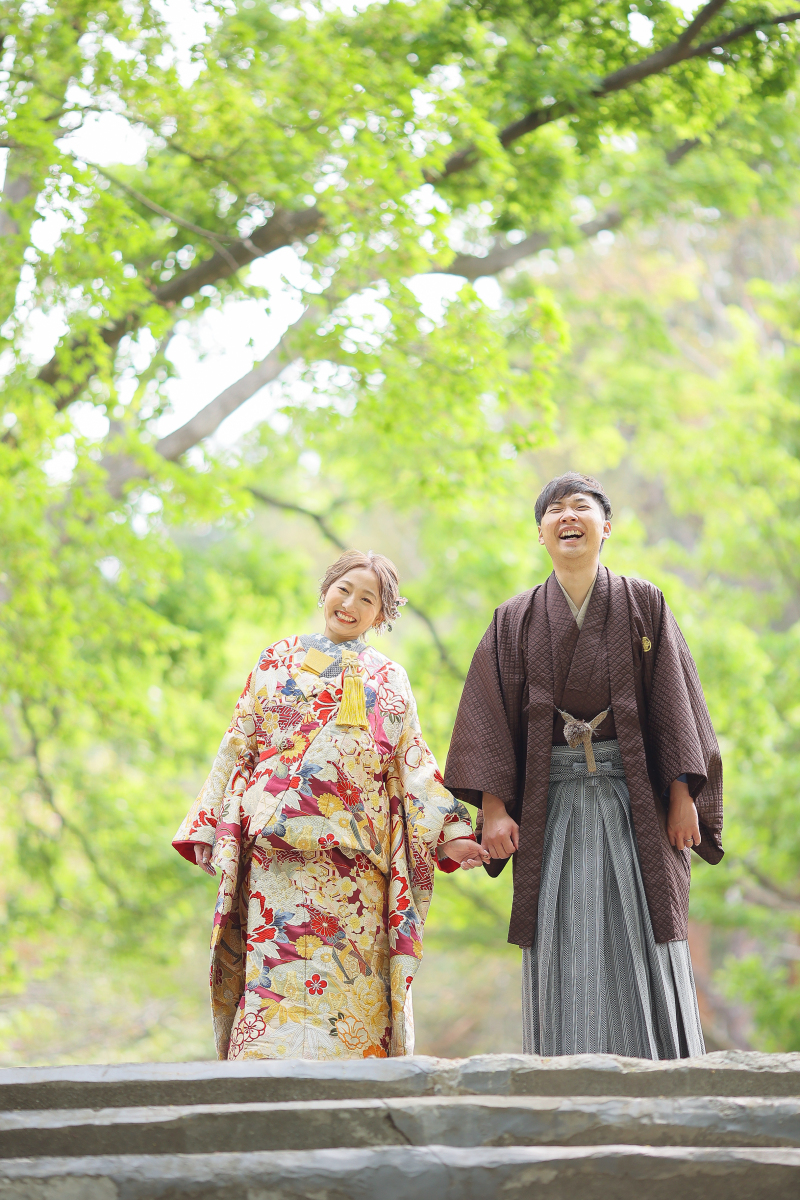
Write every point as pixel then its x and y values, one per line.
pixel 630 655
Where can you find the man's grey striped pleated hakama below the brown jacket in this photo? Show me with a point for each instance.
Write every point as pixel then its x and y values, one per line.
pixel 596 980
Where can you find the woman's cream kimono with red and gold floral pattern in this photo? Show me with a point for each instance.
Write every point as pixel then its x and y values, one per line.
pixel 326 837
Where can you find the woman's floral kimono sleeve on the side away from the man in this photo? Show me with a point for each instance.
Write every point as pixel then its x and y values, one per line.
pixel 232 769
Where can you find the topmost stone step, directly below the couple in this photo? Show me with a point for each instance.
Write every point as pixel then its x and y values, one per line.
pixel 725 1073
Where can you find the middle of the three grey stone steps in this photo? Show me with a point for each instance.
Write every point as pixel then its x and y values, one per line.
pixel 466 1121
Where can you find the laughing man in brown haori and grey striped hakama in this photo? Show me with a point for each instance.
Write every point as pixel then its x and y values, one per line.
pixel 585 739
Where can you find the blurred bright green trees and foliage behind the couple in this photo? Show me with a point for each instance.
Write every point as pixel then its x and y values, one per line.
pixel 634 313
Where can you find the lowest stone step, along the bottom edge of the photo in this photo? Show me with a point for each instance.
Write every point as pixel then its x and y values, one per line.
pixel 395 1173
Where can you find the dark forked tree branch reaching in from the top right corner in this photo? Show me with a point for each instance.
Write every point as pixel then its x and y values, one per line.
pixel 681 51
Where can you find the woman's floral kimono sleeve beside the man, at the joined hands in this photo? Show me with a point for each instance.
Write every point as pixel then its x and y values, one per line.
pixel 434 815
